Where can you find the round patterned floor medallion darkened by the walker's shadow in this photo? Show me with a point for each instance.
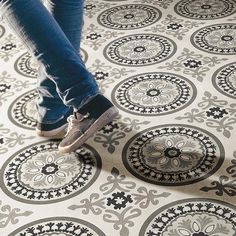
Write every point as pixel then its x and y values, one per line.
pixel 173 155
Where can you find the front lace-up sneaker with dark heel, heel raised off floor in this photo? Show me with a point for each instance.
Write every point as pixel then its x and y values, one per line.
pixel 93 116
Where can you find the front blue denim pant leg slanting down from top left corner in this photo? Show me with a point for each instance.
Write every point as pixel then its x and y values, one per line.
pixel 42 34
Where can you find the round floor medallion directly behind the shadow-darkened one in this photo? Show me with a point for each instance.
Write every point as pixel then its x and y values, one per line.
pixel 154 94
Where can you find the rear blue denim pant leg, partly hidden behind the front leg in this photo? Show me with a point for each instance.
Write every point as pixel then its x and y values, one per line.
pixel 69 15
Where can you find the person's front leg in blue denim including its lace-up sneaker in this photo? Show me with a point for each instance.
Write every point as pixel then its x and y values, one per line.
pixel 74 84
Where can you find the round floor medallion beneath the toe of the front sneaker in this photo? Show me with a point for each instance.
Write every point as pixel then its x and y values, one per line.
pixel 39 174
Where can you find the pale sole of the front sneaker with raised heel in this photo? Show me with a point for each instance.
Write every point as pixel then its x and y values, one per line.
pixel 103 120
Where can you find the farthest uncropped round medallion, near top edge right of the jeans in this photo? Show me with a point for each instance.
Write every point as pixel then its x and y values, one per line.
pixel 130 16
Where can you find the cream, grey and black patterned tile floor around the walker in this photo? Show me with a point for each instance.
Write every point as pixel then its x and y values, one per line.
pixel 167 165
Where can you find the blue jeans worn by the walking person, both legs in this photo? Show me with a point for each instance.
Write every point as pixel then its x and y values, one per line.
pixel 52 34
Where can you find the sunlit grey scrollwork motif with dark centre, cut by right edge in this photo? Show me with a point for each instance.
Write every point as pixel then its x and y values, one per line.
pixel 216 113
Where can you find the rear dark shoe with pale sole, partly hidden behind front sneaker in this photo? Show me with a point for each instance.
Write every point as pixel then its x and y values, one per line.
pixel 55 130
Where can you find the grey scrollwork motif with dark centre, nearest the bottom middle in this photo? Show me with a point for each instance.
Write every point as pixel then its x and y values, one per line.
pixel 120 202
